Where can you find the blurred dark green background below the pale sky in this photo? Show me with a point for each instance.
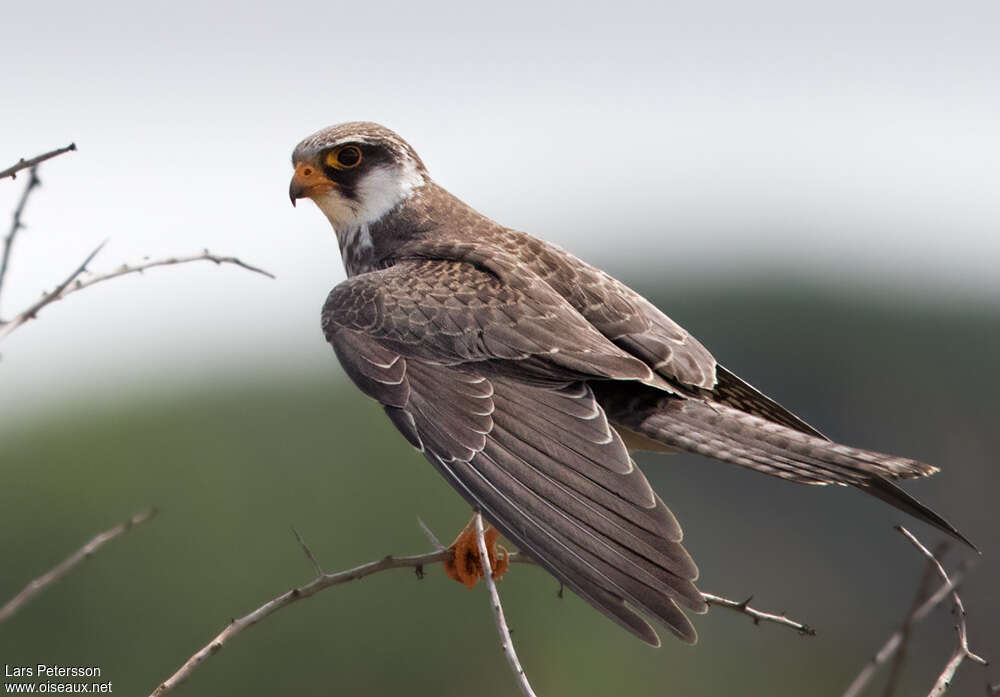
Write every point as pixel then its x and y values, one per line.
pixel 235 463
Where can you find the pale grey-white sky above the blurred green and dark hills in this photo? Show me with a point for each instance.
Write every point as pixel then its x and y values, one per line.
pixel 850 140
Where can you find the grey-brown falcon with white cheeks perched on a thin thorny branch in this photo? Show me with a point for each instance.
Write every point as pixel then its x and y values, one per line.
pixel 526 376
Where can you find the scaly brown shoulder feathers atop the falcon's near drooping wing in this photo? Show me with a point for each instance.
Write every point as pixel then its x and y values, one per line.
pixel 452 312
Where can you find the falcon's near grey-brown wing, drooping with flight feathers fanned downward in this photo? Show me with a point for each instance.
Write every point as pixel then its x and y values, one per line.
pixel 489 384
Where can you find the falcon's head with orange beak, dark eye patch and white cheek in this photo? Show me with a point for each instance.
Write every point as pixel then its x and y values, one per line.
pixel 355 172
